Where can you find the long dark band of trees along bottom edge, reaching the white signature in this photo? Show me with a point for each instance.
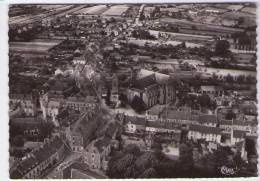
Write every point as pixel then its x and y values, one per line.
pixel 133 163
